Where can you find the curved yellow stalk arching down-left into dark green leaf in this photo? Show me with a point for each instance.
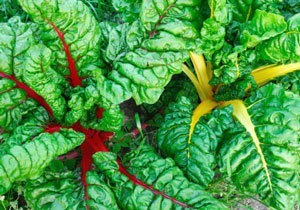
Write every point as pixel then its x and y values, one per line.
pixel 203 108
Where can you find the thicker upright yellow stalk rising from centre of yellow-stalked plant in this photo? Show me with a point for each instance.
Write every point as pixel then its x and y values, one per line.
pixel 201 72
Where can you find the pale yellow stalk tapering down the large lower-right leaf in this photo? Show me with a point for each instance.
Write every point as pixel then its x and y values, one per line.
pixel 241 113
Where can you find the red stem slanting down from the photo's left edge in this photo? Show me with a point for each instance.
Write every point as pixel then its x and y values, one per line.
pixel 31 93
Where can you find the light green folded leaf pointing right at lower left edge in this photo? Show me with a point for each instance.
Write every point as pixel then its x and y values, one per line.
pixel 27 161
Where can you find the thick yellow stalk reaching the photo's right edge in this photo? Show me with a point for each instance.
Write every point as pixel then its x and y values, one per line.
pixel 265 74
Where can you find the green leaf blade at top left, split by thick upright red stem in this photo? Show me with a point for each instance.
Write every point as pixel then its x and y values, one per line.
pixel 79 27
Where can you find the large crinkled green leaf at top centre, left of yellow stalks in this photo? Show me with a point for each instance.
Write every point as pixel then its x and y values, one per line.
pixel 148 52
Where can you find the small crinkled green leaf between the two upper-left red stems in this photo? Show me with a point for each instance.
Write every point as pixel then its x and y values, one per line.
pixel 44 80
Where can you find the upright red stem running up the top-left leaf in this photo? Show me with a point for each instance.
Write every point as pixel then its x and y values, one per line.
pixel 75 79
